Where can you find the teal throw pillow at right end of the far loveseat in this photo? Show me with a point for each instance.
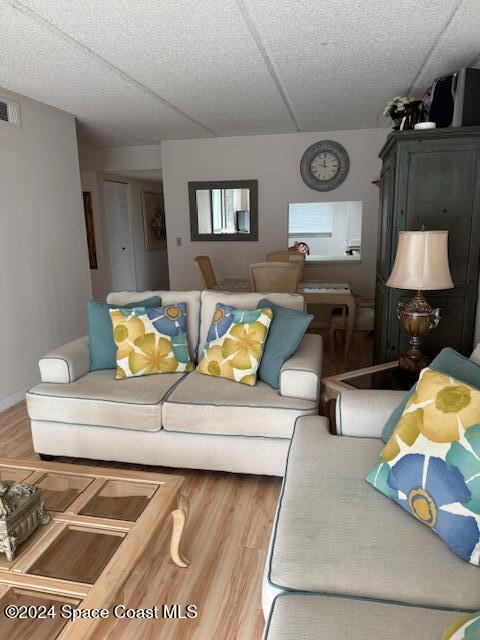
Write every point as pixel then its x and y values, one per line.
pixel 286 332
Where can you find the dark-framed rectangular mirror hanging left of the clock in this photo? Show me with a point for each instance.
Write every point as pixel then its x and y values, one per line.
pixel 226 210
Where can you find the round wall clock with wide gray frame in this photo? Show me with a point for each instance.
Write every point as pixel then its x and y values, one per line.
pixel 324 165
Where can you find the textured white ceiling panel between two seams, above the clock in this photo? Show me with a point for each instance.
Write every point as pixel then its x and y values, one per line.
pixel 345 60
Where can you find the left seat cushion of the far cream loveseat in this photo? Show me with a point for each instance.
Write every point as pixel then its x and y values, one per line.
pixel 98 399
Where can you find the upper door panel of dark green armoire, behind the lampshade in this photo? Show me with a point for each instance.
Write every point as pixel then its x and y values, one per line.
pixel 441 189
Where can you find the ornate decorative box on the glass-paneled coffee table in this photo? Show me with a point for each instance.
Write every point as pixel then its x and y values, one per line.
pixel 21 511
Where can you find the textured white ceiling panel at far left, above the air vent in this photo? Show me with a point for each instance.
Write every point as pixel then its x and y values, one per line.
pixel 39 63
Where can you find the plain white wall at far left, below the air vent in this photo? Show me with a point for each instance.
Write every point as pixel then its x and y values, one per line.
pixel 44 274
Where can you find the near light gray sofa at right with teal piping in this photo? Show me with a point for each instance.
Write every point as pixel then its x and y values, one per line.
pixel 346 562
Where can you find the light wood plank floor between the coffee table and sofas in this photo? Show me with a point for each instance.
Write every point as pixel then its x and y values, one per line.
pixel 226 537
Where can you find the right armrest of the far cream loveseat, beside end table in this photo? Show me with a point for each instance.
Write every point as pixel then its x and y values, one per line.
pixel 300 374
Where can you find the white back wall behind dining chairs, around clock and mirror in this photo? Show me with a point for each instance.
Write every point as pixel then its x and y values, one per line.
pixel 274 160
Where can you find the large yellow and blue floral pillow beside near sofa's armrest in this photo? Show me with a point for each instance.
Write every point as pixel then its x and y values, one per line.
pixel 431 464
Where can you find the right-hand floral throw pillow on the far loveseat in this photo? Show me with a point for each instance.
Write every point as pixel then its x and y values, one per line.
pixel 235 343
